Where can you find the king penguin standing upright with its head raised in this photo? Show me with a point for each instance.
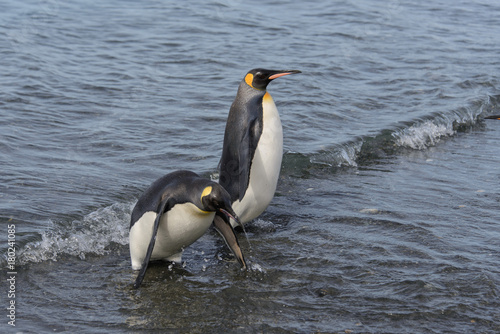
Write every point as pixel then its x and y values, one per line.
pixel 253 146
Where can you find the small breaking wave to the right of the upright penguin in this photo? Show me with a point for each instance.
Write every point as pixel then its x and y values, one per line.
pixel 418 134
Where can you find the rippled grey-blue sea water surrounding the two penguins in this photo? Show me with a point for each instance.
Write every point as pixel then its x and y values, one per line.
pixel 386 216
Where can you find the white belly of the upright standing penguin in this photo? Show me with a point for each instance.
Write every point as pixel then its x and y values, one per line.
pixel 265 168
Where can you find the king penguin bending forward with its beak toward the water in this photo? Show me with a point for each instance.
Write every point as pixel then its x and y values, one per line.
pixel 175 211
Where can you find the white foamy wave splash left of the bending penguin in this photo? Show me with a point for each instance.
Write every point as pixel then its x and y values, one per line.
pixel 92 235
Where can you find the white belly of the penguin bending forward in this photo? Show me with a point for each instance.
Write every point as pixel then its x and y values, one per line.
pixel 179 227
